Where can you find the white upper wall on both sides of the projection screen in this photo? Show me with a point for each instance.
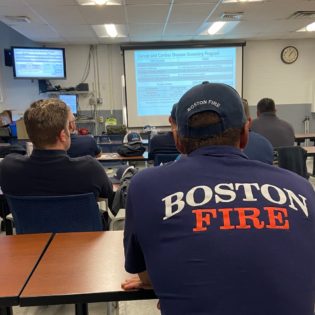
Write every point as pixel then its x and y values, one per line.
pixel 265 75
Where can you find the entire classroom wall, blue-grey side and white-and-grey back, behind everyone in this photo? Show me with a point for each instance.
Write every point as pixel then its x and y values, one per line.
pixel 265 75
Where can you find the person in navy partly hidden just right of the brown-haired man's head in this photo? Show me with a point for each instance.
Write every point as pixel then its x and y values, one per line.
pixel 82 145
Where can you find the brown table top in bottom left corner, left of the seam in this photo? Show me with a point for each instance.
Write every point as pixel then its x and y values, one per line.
pixel 19 256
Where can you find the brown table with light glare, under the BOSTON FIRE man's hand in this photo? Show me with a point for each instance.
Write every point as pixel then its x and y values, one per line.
pixel 81 268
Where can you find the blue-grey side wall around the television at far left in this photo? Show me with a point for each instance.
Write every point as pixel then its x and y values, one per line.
pixel 14 94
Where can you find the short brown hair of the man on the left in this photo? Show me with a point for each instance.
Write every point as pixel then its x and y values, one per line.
pixel 44 120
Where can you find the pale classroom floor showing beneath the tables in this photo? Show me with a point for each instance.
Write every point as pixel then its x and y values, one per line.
pixel 125 308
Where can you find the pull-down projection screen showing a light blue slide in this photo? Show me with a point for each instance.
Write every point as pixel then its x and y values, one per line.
pixel 157 78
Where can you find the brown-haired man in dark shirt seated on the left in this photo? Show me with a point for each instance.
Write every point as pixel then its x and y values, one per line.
pixel 49 170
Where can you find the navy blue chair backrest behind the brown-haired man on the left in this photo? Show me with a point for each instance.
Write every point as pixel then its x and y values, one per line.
pixel 42 214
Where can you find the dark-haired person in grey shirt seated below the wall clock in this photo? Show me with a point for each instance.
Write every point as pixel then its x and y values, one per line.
pixel 277 131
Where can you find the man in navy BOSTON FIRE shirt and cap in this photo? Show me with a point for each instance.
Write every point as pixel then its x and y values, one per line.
pixel 217 233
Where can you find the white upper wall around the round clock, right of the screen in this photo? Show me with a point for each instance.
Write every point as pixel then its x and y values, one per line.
pixel 265 75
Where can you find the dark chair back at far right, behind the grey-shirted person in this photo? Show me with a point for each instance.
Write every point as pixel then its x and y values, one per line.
pixel 293 158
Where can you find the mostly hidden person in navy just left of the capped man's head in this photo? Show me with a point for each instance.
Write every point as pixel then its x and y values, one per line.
pixel 163 143
